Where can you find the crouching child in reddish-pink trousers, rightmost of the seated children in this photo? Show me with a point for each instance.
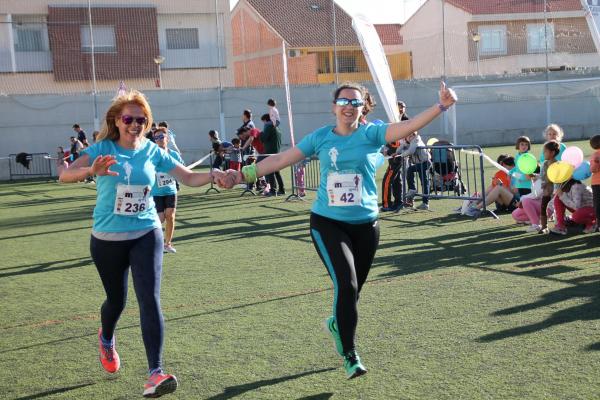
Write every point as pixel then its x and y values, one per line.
pixel 577 198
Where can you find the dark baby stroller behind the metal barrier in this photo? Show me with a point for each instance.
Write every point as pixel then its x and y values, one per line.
pixel 446 170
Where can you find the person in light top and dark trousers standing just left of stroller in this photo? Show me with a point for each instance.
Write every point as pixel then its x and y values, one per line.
pixel 420 161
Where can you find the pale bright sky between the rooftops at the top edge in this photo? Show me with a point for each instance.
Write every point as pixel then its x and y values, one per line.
pixel 379 11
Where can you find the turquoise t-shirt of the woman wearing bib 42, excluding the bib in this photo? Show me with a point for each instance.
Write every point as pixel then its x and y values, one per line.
pixel 357 154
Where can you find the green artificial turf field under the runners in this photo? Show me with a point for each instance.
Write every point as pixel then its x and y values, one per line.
pixel 454 308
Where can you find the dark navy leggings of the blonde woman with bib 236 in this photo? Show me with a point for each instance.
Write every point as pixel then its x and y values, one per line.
pixel 144 255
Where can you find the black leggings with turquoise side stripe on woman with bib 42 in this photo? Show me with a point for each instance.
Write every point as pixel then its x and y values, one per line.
pixel 347 250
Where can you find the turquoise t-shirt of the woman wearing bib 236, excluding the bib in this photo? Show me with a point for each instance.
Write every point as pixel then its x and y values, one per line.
pixel 136 168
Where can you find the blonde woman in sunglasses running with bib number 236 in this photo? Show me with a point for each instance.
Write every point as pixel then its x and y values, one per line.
pixel 127 233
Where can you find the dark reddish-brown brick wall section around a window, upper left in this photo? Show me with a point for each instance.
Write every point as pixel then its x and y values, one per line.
pixel 136 43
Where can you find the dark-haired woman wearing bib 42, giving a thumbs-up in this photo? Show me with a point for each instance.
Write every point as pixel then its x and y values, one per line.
pixel 343 223
